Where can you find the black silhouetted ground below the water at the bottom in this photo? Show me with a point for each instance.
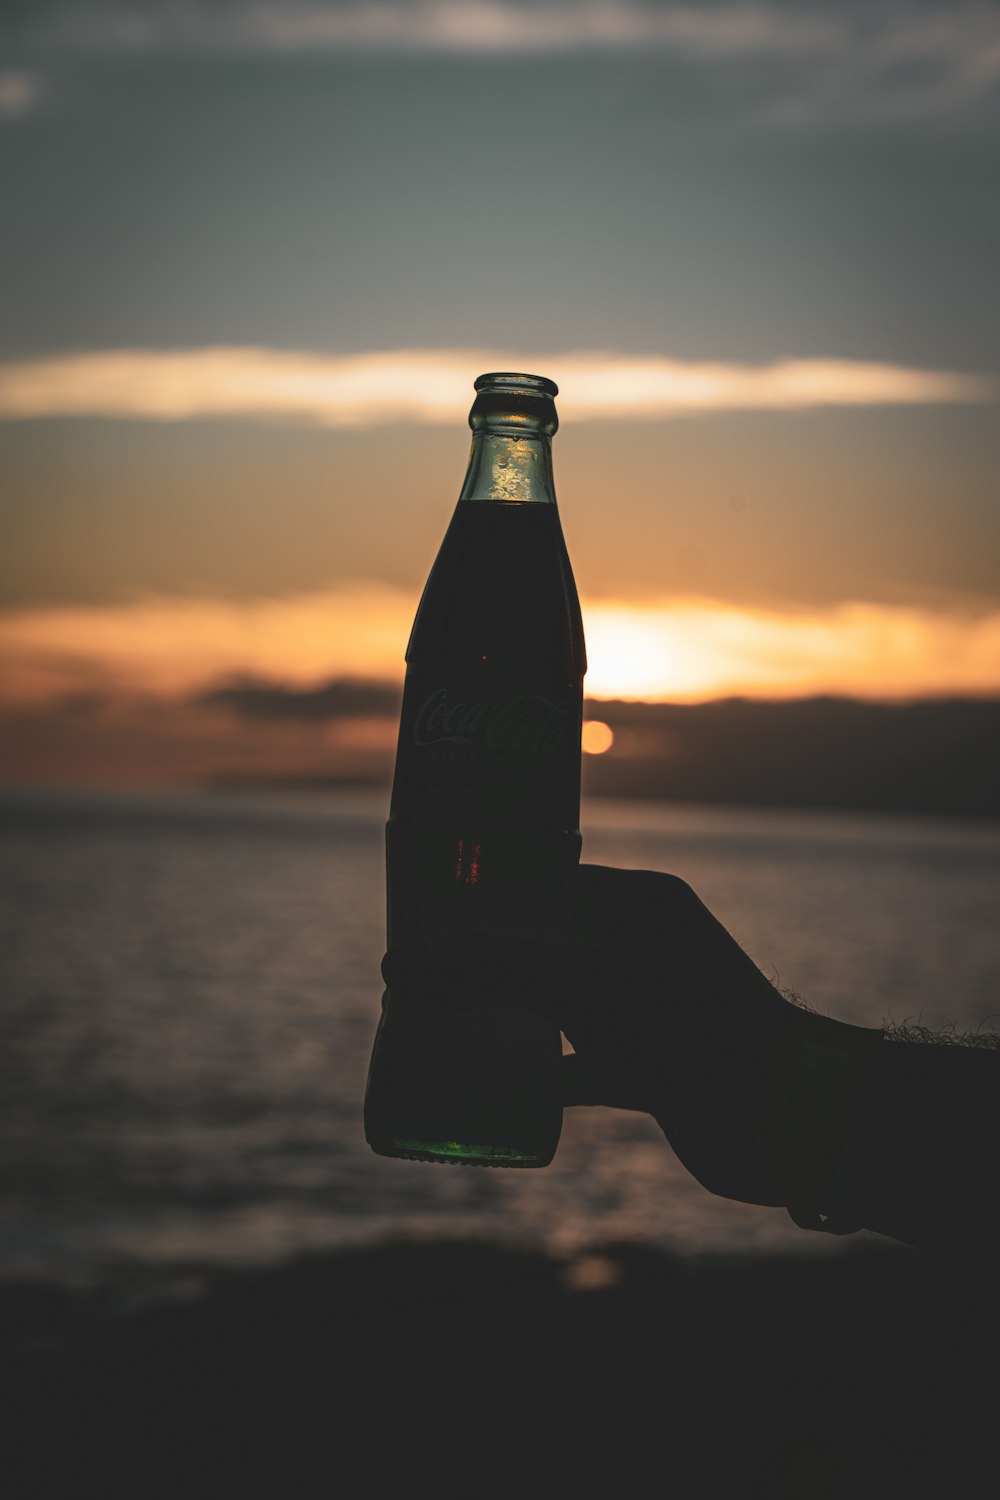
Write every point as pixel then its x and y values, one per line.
pixel 467 1370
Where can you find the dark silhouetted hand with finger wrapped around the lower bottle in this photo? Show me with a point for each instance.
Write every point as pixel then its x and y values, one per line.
pixel 663 1009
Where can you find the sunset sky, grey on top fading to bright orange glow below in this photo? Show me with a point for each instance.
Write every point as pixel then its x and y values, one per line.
pixel 256 254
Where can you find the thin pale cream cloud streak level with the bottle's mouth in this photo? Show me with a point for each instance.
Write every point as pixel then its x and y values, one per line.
pixel 434 386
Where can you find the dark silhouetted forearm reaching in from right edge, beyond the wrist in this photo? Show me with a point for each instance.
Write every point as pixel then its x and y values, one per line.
pixel 894 1136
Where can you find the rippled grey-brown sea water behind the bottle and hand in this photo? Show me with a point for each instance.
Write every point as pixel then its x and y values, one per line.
pixel 190 989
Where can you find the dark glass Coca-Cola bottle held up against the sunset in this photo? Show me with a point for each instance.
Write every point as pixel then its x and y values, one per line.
pixel 484 830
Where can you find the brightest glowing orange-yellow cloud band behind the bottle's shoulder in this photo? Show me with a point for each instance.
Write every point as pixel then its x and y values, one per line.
pixel 681 650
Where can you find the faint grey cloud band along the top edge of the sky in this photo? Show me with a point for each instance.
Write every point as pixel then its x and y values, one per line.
pixel 831 61
